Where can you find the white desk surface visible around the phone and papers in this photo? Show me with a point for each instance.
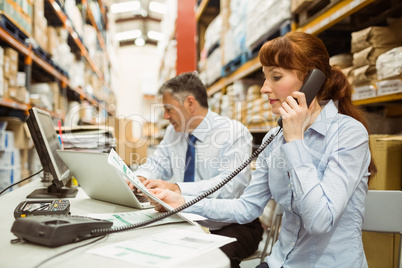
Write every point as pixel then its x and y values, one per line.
pixel 29 255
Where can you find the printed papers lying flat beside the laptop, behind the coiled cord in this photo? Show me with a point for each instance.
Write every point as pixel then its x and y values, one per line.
pixel 129 218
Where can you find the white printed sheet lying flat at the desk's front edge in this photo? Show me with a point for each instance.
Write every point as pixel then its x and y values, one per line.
pixel 164 249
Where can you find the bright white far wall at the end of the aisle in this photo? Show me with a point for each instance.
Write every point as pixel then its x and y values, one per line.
pixel 136 67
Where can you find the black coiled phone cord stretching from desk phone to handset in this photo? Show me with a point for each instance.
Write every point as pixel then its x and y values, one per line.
pixel 98 232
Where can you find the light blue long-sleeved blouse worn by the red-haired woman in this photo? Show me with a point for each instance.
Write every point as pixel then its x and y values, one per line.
pixel 321 183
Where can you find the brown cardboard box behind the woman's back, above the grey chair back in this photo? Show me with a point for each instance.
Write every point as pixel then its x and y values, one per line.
pixel 386 151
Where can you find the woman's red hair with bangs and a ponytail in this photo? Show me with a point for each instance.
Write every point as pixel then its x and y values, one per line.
pixel 304 52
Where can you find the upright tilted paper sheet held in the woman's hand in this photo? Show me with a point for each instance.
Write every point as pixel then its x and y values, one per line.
pixel 115 160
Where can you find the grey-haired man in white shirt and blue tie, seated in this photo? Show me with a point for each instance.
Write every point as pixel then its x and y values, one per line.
pixel 201 148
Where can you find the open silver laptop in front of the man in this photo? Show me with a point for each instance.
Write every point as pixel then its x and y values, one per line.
pixel 100 180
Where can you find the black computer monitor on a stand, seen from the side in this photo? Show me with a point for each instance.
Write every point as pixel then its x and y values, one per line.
pixel 46 142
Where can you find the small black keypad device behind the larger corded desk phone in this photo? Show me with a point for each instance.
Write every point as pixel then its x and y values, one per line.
pixel 42 207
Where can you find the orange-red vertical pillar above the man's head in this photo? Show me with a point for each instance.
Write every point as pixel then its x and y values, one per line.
pixel 186 36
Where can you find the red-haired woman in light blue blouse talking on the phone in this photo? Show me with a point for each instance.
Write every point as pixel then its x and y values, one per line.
pixel 317 168
